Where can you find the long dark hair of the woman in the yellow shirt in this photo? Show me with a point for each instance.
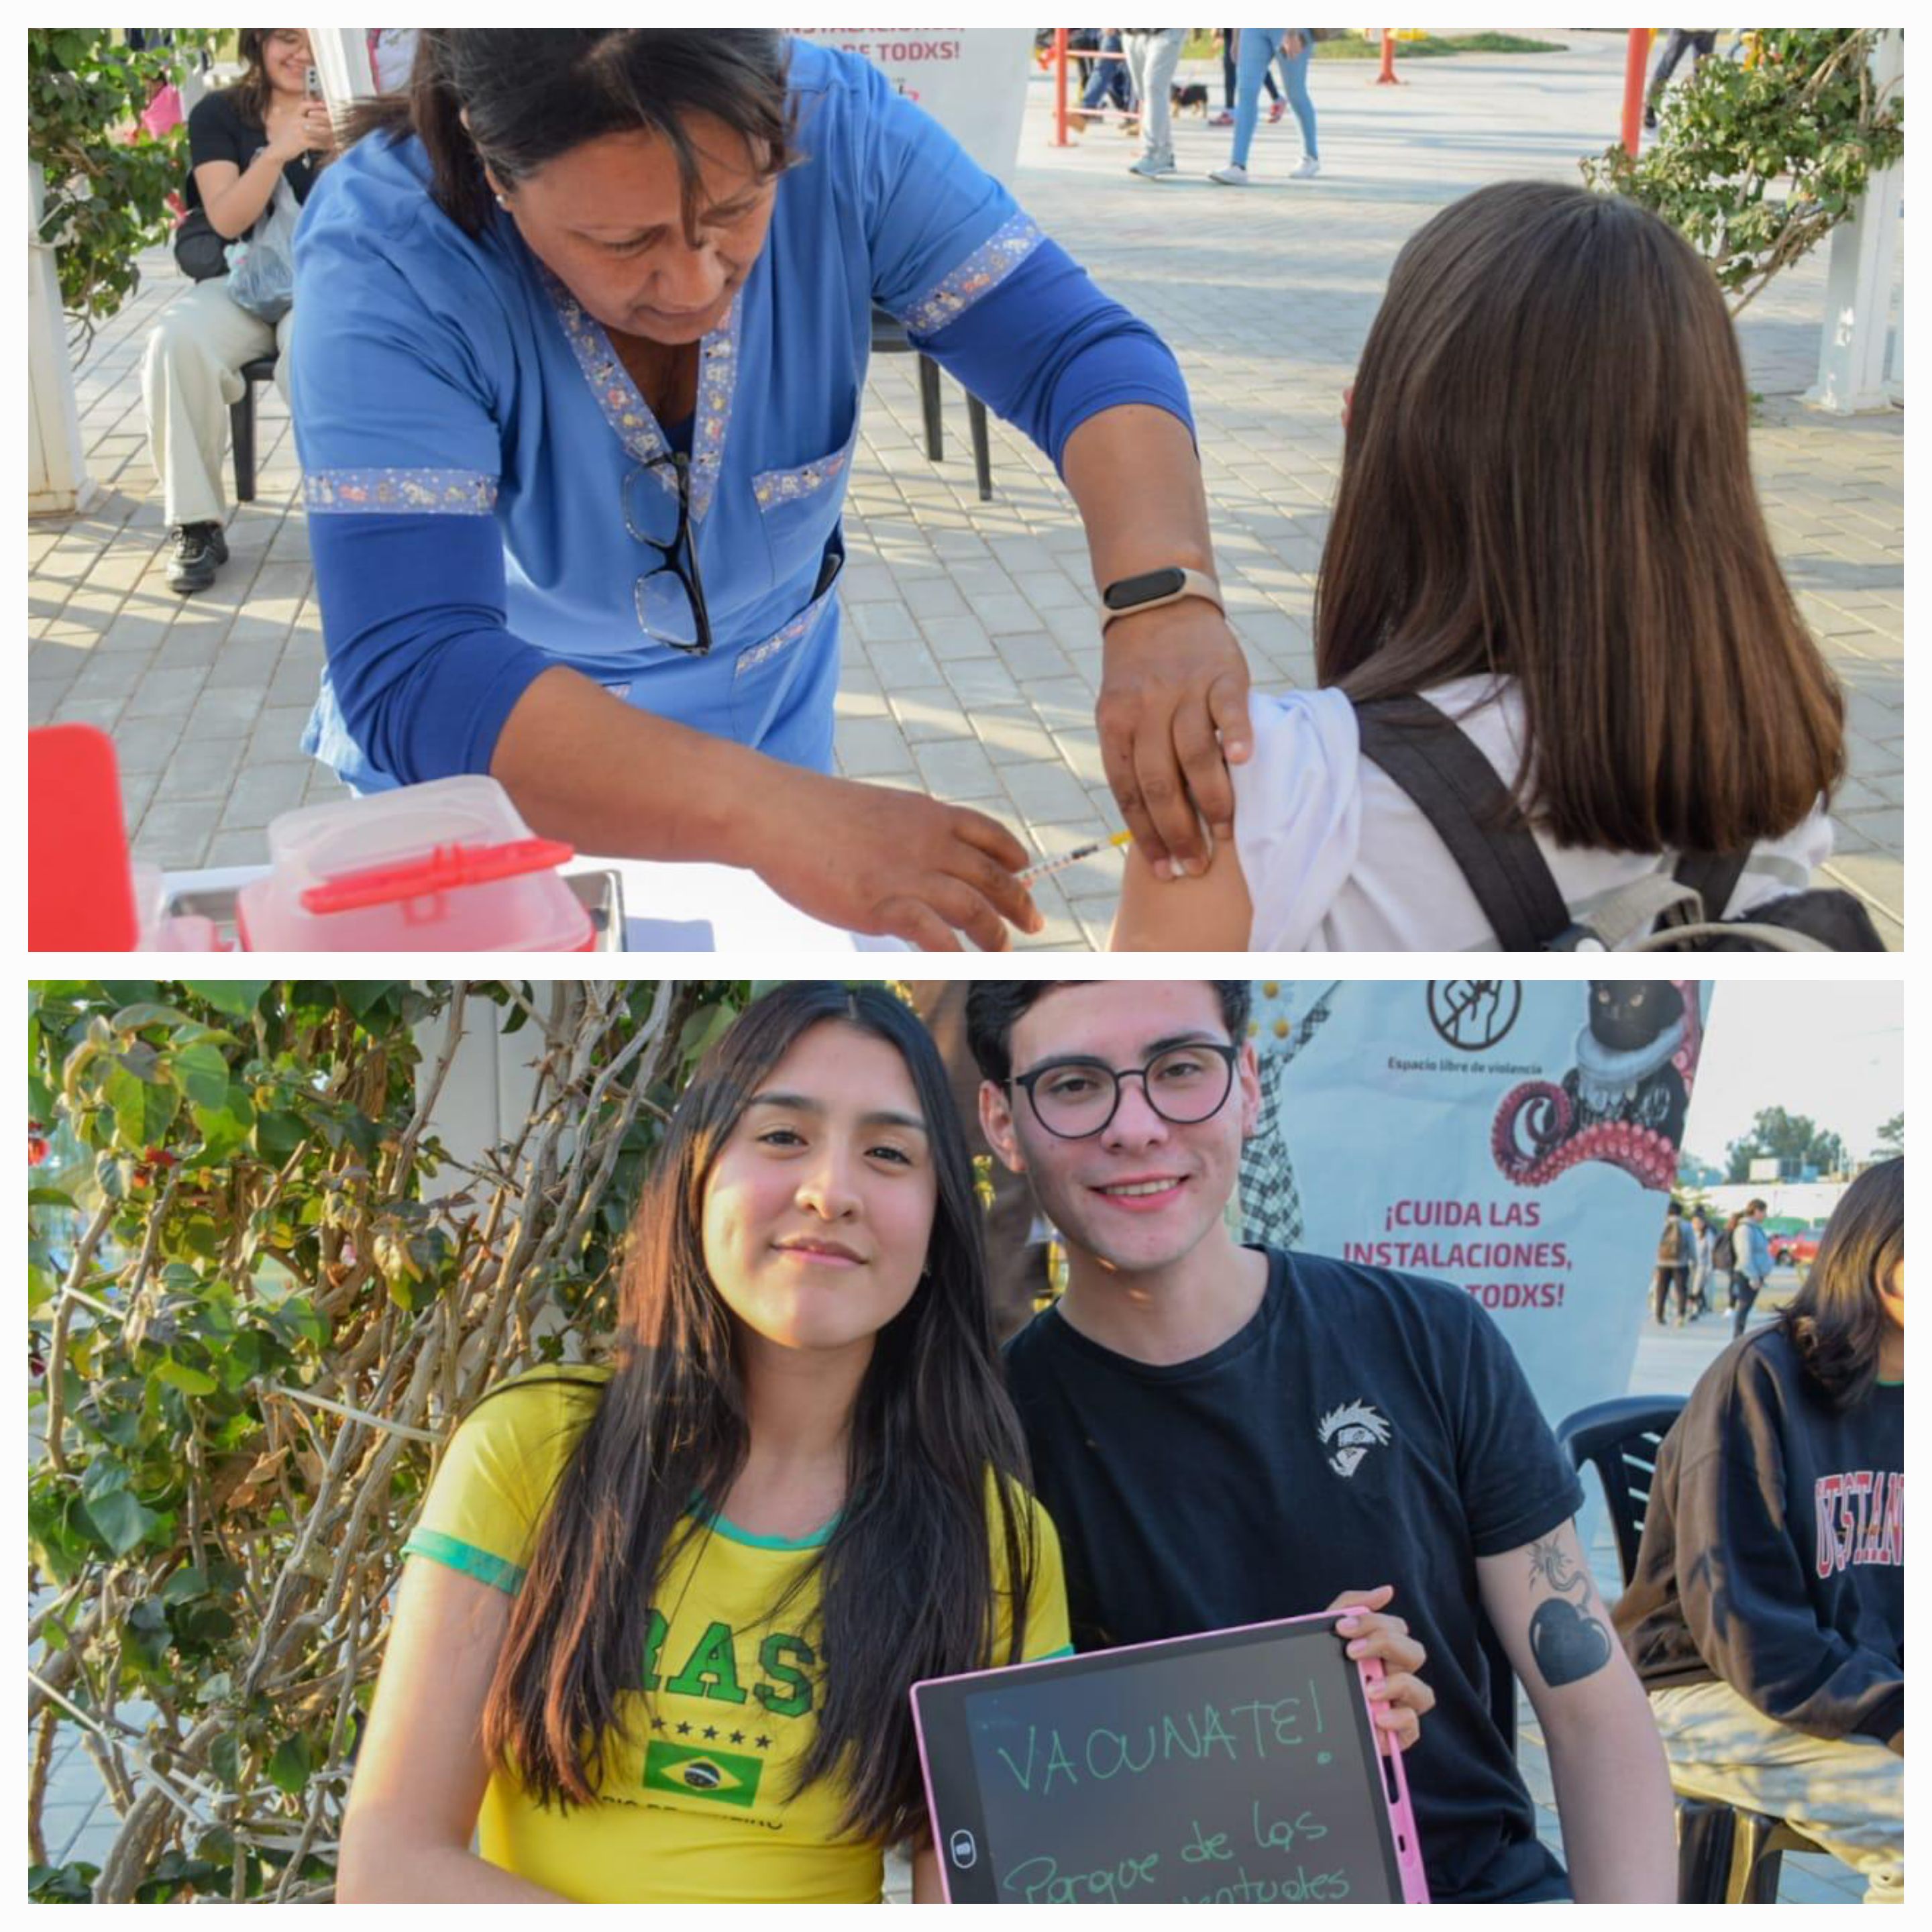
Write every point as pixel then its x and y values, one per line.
pixel 907 1576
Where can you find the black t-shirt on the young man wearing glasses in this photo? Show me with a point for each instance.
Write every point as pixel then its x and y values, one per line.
pixel 1363 1429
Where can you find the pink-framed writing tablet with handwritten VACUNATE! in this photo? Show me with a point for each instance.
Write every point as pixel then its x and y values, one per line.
pixel 1228 1769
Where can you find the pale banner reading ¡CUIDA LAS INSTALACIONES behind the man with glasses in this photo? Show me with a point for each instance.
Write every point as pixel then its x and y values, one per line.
pixel 1514 1137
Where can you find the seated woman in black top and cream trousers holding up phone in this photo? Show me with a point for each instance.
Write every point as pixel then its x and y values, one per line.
pixel 244 144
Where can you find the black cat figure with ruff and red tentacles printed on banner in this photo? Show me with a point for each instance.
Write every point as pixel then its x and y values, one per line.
pixel 1626 1098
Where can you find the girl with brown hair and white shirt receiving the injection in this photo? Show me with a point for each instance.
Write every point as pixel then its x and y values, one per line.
pixel 1548 532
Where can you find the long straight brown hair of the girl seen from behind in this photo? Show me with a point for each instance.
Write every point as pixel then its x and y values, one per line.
pixel 1547 476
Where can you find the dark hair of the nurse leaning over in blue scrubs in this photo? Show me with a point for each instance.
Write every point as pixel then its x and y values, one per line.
pixel 538 94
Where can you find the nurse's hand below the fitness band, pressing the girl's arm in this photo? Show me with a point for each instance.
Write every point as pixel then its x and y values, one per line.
pixel 1174 716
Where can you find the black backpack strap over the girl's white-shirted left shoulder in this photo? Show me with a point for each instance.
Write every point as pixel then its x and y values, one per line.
pixel 1458 791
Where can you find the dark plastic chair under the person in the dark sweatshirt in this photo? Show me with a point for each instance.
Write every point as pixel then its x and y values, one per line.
pixel 1726 1854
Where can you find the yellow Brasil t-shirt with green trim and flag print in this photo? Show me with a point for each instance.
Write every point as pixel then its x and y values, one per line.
pixel 698 1790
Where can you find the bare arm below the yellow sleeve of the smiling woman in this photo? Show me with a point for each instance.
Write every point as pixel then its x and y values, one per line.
pixel 420 1773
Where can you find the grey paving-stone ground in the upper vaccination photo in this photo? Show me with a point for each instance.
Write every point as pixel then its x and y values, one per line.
pixel 971 648
